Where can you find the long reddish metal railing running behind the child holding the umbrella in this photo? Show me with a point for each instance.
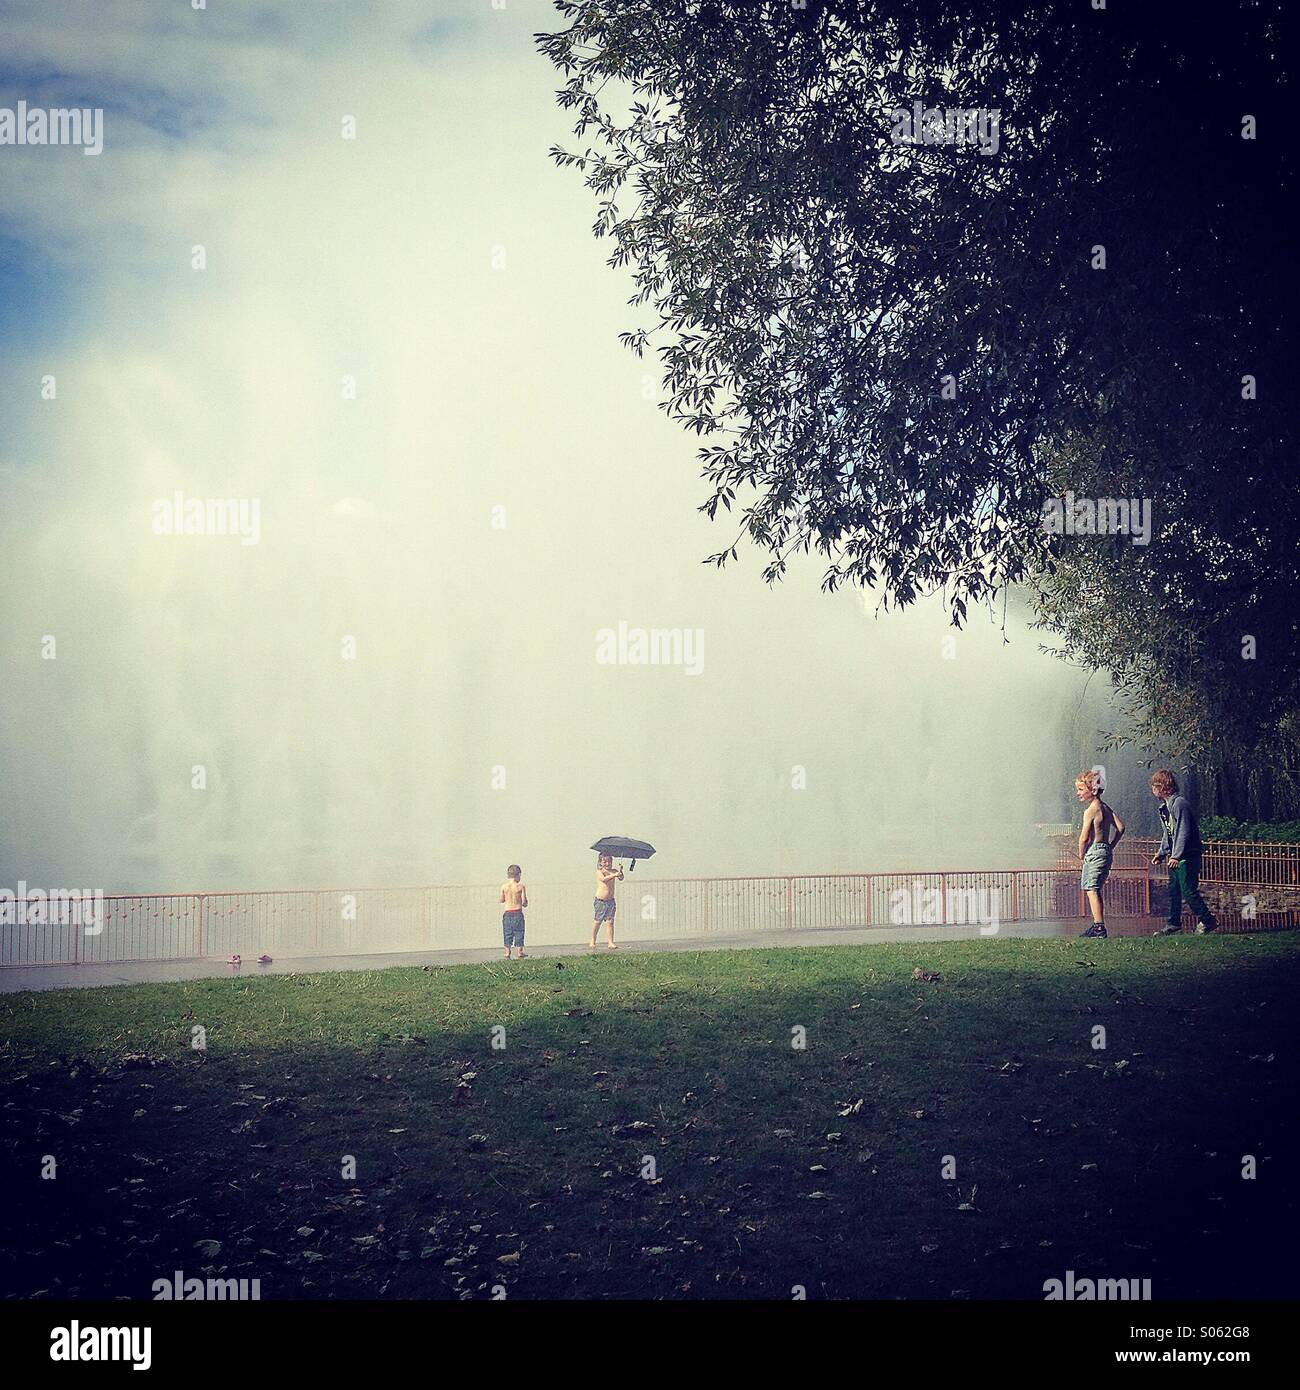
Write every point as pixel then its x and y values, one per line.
pixel 354 922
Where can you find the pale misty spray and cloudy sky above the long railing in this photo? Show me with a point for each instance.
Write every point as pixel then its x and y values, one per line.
pixel 398 352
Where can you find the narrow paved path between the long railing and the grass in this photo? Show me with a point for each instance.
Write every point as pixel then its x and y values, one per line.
pixel 83 976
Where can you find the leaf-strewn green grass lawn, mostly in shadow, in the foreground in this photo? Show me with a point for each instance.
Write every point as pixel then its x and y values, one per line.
pixel 528 1167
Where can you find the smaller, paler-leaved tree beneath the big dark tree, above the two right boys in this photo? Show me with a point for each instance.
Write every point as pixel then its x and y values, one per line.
pixel 1198 635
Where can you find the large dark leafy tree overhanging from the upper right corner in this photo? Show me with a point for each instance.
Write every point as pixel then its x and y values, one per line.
pixel 895 351
